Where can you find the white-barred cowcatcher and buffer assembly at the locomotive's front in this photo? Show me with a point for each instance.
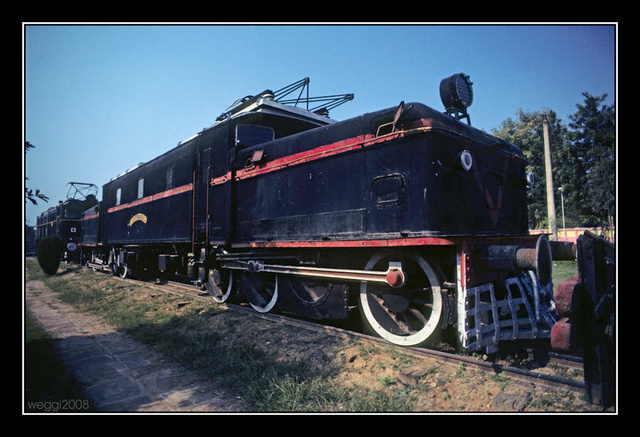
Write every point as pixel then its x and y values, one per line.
pixel 504 292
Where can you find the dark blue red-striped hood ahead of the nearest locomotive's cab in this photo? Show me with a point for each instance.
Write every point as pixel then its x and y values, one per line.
pixel 352 181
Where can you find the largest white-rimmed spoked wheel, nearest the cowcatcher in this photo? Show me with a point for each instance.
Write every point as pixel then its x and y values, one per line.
pixel 410 315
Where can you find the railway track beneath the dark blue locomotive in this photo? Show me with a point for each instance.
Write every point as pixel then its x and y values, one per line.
pixel 543 376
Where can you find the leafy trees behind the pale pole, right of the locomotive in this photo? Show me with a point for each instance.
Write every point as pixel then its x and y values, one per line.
pixel 583 161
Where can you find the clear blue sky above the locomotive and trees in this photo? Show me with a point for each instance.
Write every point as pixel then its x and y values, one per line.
pixel 99 99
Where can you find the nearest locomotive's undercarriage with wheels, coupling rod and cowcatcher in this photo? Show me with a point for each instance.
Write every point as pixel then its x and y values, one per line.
pixel 409 296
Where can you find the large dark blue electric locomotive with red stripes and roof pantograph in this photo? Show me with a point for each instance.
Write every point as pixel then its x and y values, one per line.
pixel 407 215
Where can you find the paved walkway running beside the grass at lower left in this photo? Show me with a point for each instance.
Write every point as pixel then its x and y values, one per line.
pixel 119 374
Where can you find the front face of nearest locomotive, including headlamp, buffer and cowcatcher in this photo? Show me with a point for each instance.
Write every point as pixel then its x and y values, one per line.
pixel 503 276
